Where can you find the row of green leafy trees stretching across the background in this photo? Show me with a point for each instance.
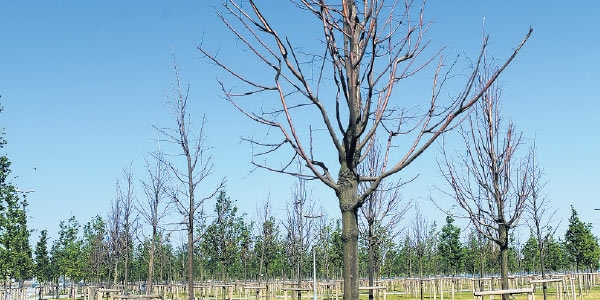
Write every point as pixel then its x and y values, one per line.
pixel 232 248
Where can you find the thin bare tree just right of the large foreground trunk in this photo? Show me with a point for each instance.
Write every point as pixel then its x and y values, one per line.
pixel 381 213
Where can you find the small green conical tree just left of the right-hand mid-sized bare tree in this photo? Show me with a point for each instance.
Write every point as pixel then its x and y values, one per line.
pixel 450 248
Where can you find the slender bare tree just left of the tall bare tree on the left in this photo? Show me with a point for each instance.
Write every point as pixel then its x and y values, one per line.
pixel 156 205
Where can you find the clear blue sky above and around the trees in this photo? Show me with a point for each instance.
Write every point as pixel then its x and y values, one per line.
pixel 82 83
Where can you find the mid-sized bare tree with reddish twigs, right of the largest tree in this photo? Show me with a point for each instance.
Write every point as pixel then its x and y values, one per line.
pixel 490 183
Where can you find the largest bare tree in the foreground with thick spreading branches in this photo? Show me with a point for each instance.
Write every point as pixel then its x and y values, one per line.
pixel 346 90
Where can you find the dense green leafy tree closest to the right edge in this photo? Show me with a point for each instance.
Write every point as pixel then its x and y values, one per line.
pixel 581 244
